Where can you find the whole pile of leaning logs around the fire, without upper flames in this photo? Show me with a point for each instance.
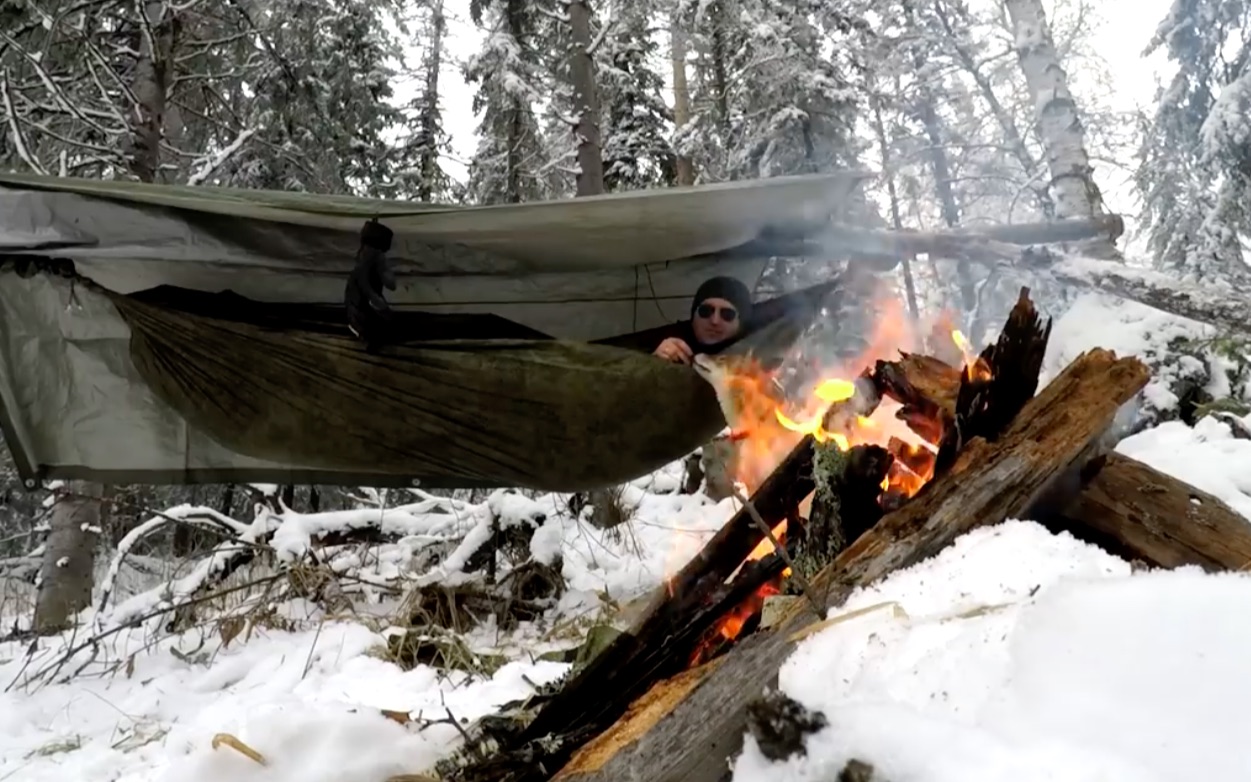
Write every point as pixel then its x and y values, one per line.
pixel 671 699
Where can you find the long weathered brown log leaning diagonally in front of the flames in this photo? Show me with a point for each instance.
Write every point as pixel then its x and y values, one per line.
pixel 687 728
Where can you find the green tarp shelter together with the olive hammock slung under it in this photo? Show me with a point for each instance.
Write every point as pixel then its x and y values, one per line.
pixel 196 335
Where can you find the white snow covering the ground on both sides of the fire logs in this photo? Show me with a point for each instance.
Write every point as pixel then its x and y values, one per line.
pixel 1014 655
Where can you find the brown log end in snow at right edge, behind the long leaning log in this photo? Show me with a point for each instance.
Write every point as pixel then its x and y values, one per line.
pixel 1137 512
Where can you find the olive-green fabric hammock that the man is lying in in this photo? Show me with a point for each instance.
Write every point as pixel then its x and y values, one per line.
pixel 288 385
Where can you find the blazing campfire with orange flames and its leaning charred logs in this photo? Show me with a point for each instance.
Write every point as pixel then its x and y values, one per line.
pixel 895 455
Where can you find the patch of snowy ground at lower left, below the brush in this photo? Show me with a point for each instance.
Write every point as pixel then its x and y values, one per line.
pixel 311 703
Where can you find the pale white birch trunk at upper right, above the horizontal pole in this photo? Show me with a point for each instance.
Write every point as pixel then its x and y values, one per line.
pixel 1059 126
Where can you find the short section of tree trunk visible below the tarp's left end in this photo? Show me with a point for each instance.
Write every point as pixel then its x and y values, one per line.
pixel 69 559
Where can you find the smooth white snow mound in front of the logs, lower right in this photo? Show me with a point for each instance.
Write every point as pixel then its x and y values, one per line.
pixel 1028 656
